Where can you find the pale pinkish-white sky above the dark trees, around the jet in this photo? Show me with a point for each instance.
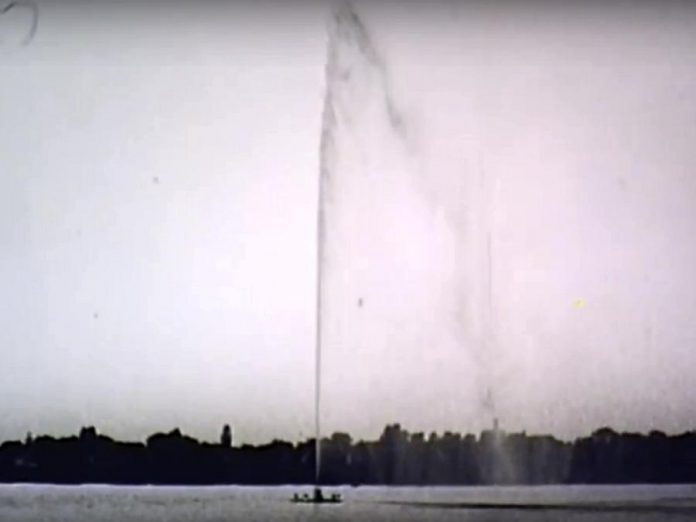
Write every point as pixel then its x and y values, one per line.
pixel 158 187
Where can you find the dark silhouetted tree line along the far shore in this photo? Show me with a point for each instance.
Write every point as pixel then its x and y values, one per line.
pixel 396 458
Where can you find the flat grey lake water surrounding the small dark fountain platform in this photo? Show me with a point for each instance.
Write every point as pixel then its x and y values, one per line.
pixel 178 504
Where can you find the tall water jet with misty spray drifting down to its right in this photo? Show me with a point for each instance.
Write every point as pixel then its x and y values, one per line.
pixel 405 248
